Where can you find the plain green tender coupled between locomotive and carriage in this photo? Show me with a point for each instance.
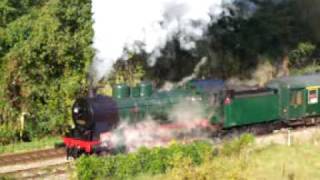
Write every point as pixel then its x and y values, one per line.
pixel 249 107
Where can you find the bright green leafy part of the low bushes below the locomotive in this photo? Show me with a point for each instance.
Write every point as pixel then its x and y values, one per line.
pixel 146 161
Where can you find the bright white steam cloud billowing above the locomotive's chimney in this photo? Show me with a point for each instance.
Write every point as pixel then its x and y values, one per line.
pixel 120 24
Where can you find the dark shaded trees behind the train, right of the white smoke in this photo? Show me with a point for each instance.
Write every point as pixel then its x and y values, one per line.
pixel 243 35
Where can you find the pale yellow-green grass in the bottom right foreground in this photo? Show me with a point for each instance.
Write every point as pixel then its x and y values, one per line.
pixel 299 161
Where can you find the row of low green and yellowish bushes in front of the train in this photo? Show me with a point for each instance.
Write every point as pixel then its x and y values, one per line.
pixel 175 158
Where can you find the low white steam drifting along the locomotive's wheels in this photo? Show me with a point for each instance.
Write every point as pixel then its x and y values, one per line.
pixel 187 123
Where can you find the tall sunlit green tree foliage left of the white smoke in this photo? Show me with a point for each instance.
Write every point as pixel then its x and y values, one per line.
pixel 44 56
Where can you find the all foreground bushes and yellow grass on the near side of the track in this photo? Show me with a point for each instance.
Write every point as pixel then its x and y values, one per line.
pixel 241 158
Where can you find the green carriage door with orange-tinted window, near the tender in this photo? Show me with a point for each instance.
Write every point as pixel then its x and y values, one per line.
pixel 296 107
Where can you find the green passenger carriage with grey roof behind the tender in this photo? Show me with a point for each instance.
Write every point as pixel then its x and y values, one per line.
pixel 298 96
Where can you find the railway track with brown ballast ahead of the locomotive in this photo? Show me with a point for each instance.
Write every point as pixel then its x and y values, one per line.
pixel 35 164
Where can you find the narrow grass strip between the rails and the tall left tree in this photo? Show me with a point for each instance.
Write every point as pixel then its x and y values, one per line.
pixel 46 142
